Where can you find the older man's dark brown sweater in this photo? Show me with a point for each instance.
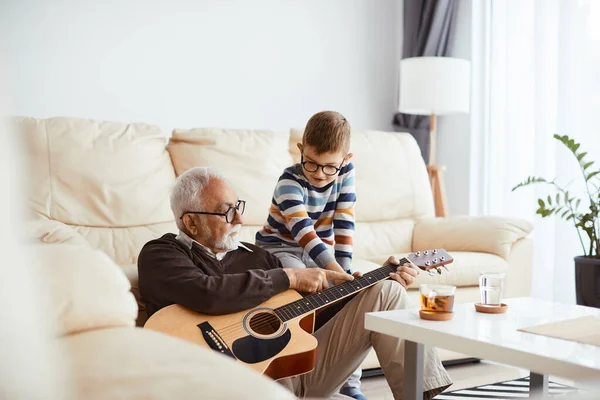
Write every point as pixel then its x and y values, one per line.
pixel 172 273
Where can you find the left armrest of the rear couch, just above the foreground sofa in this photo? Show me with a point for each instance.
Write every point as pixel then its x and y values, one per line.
pixel 53 232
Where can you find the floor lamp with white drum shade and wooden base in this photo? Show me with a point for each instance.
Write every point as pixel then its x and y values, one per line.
pixel 435 86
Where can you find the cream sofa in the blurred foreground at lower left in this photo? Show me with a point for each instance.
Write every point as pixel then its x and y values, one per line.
pixel 102 355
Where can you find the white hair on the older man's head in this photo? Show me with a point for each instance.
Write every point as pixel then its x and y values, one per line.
pixel 187 191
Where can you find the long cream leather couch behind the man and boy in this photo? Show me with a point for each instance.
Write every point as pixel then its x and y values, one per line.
pixel 106 185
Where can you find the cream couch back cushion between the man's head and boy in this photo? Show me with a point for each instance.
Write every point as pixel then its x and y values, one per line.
pixel 252 161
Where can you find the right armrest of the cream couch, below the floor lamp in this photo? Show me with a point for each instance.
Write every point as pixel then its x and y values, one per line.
pixel 495 235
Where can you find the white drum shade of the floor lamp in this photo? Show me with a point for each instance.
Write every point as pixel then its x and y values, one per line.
pixel 434 85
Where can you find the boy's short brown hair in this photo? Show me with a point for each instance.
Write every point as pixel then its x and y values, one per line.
pixel 327 131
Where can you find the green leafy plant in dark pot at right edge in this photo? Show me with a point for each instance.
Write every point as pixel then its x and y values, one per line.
pixel 586 220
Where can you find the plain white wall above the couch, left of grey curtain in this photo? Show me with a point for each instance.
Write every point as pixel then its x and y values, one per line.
pixel 226 63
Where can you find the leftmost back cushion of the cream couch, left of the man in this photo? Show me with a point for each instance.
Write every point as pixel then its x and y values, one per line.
pixel 102 174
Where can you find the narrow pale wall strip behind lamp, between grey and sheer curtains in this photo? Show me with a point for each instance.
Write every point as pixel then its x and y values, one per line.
pixel 454 131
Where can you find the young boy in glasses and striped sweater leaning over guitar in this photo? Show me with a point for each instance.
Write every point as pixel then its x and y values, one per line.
pixel 312 209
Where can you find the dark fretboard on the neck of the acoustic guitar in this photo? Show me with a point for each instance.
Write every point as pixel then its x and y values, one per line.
pixel 335 293
